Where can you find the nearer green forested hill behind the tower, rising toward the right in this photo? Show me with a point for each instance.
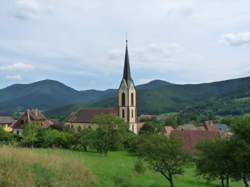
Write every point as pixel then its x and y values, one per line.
pixel 222 98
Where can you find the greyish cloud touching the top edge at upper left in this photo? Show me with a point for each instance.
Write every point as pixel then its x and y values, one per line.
pixel 26 9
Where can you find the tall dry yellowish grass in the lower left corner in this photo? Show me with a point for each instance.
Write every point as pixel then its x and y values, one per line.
pixel 26 168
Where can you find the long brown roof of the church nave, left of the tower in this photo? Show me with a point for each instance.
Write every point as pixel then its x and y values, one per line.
pixel 85 115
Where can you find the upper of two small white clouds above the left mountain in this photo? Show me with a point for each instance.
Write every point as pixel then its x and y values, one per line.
pixel 19 67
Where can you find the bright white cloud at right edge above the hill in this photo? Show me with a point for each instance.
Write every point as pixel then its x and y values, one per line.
pixel 237 39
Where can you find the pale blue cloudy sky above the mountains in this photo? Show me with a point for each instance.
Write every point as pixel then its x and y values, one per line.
pixel 81 43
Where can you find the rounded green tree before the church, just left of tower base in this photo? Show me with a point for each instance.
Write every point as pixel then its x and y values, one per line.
pixel 110 134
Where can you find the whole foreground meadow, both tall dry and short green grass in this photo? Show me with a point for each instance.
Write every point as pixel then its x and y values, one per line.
pixel 55 167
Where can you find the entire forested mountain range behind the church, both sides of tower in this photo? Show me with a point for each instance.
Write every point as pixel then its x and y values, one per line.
pixel 155 97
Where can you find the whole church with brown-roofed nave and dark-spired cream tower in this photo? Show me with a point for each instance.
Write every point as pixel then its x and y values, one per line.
pixel 126 108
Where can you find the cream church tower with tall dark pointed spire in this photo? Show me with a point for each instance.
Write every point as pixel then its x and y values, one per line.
pixel 127 96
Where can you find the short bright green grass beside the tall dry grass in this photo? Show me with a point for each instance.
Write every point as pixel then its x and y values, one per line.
pixel 118 166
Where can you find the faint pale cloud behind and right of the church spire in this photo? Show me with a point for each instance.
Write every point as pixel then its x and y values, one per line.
pixel 161 57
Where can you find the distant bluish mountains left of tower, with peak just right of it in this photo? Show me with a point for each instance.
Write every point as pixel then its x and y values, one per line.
pixel 49 94
